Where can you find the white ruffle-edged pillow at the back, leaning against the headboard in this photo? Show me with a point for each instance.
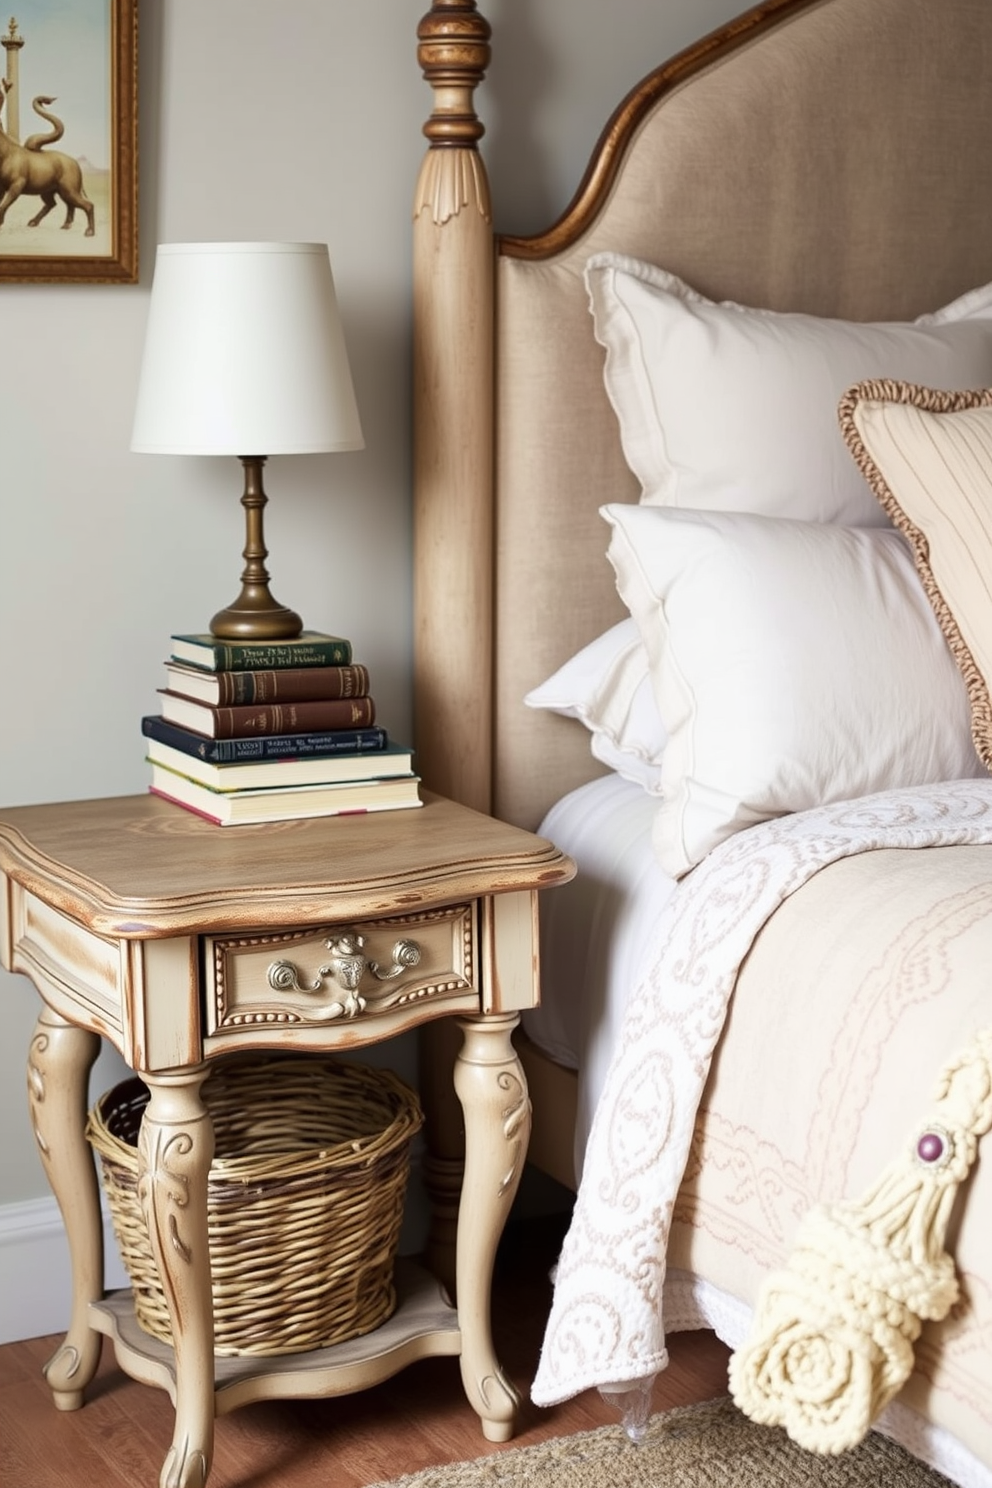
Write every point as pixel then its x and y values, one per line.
pixel 734 410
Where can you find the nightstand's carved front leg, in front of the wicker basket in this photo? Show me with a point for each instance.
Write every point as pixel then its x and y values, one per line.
pixel 175 1152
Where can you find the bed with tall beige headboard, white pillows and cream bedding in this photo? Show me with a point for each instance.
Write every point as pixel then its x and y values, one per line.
pixel 692 599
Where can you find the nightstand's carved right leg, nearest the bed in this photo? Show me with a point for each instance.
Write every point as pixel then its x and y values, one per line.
pixel 493 1093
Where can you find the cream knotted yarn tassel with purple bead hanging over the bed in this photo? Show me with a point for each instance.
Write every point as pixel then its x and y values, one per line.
pixel 832 1338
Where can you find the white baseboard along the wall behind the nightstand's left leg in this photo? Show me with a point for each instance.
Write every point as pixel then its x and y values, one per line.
pixel 35 1276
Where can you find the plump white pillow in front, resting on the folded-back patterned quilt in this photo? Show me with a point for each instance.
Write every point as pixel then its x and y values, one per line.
pixel 793 664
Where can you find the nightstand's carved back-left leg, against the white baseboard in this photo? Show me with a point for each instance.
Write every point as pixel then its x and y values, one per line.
pixel 60 1062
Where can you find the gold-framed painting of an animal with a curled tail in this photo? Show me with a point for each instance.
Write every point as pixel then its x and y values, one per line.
pixel 69 150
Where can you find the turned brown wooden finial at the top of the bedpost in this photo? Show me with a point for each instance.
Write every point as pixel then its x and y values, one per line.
pixel 454 54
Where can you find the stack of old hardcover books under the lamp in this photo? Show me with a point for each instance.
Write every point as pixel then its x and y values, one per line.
pixel 271 731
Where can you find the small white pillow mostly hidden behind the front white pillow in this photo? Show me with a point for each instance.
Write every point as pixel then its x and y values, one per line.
pixel 608 687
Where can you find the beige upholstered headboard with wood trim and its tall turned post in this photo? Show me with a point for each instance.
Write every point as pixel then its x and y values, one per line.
pixel 822 155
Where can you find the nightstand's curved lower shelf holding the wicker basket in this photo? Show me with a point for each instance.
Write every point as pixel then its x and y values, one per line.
pixel 423 1327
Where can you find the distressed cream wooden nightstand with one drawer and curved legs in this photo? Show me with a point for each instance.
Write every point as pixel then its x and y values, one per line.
pixel 179 943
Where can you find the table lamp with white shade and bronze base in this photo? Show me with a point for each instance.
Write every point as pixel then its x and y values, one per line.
pixel 245 352
